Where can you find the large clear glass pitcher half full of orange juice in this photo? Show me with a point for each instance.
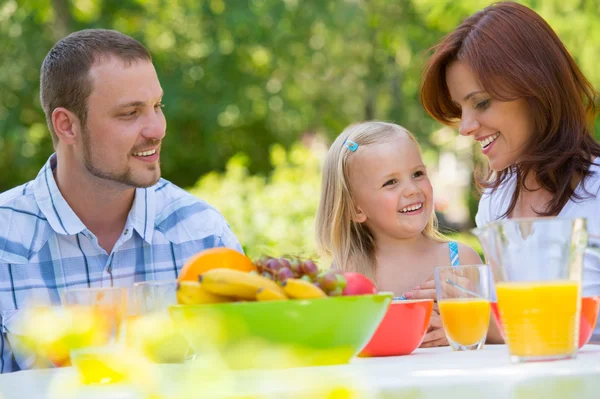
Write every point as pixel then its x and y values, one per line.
pixel 537 267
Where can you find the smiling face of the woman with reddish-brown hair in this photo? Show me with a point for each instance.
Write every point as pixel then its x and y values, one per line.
pixel 502 128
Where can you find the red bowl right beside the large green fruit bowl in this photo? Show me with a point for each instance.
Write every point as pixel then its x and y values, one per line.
pixel 402 329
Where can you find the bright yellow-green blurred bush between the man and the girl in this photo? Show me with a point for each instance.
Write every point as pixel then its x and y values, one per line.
pixel 271 214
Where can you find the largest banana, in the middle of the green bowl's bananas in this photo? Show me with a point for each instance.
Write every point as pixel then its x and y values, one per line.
pixel 235 283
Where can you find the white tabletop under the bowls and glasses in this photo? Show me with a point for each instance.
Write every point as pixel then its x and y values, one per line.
pixel 428 373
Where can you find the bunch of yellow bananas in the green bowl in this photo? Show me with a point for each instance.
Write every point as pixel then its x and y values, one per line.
pixel 229 285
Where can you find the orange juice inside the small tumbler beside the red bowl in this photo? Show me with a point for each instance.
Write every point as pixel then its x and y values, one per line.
pixel 465 320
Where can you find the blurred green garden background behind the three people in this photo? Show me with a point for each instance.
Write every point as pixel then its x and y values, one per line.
pixel 256 90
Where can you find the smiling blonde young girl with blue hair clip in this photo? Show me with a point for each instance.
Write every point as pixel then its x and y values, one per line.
pixel 376 214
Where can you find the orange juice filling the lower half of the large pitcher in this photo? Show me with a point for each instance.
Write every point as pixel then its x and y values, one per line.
pixel 540 319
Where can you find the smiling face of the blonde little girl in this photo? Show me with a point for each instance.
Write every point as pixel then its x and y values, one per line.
pixel 390 188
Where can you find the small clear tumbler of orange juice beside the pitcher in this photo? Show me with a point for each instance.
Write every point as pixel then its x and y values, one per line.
pixel 463 294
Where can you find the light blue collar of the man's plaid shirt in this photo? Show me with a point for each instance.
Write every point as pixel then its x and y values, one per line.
pixel 64 221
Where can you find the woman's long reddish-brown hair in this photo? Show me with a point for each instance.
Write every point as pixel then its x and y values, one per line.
pixel 514 54
